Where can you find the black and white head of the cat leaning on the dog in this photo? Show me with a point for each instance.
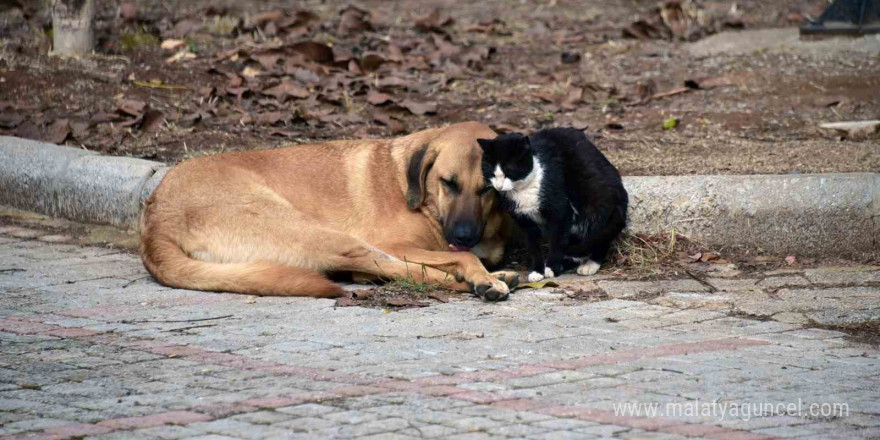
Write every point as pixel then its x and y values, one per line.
pixel 506 159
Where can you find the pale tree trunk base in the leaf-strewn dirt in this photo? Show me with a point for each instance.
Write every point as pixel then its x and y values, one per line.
pixel 72 27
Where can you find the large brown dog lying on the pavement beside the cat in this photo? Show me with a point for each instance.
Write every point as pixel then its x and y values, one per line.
pixel 274 222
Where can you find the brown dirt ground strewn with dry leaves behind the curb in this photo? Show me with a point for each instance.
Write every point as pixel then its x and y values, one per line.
pixel 254 74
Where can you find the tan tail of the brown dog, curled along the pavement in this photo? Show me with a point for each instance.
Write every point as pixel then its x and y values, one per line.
pixel 171 266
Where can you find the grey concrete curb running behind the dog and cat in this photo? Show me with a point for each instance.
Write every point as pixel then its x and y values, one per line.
pixel 804 214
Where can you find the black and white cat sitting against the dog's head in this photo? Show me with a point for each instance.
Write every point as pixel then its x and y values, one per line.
pixel 557 184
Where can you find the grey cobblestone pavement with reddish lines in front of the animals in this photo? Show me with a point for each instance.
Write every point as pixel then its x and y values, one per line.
pixel 93 348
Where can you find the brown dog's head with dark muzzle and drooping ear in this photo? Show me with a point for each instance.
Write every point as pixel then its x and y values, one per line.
pixel 444 176
